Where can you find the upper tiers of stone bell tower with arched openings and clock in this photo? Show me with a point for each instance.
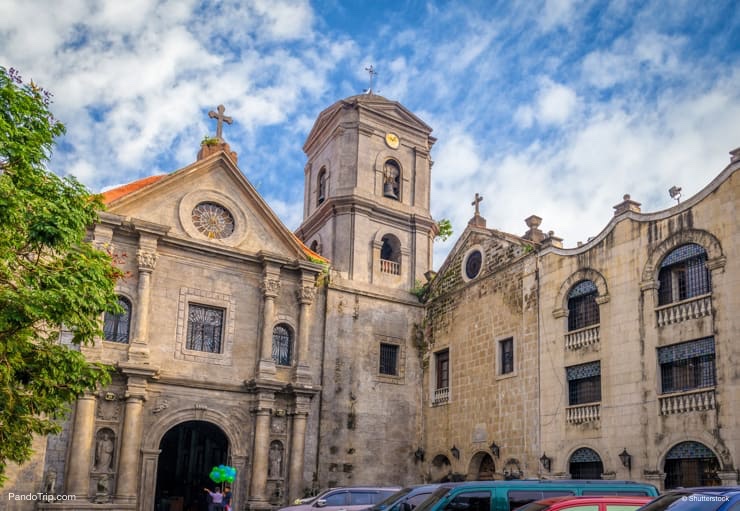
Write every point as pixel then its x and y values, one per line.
pixel 366 192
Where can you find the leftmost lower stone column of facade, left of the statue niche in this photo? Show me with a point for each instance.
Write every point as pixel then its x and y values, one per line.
pixel 80 449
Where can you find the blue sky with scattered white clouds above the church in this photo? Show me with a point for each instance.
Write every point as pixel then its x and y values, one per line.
pixel 556 108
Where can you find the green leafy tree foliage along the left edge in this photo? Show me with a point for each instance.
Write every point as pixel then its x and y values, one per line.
pixel 50 277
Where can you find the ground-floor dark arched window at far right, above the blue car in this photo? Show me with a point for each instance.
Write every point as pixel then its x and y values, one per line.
pixel 691 464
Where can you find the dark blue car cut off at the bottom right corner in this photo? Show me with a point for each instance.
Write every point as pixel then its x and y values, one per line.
pixel 713 498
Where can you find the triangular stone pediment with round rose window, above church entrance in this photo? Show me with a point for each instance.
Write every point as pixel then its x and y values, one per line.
pixel 208 202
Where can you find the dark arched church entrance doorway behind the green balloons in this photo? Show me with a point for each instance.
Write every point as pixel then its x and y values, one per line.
pixel 188 451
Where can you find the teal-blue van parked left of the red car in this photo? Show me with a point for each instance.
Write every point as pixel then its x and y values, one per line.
pixel 509 495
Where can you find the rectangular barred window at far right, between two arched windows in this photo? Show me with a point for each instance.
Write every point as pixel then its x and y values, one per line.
pixel 686 366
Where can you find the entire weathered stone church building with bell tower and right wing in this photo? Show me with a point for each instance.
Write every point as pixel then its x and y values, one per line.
pixel 334 356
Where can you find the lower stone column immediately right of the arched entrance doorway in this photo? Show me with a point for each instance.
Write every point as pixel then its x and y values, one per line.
pixel 262 412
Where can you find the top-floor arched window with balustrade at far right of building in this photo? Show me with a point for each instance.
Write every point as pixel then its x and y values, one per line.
pixel 683 274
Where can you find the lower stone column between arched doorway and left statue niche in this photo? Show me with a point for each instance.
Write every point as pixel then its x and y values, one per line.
pixel 128 462
